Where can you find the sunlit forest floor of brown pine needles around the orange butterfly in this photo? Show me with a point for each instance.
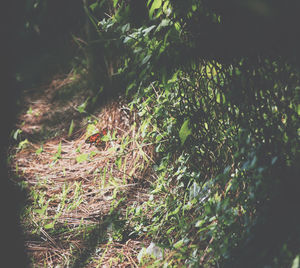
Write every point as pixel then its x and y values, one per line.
pixel 79 195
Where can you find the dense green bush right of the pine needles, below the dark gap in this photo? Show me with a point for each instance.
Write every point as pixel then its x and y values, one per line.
pixel 228 161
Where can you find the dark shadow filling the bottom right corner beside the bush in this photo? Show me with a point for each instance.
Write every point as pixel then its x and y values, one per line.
pixel 276 229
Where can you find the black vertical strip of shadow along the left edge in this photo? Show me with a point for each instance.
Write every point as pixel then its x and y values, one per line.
pixel 12 198
